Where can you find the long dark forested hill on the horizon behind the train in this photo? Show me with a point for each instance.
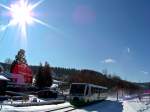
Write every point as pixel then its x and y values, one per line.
pixel 87 76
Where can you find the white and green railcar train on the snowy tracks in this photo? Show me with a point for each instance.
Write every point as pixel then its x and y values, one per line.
pixel 85 93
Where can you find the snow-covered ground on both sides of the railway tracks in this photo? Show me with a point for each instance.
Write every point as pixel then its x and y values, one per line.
pixel 110 105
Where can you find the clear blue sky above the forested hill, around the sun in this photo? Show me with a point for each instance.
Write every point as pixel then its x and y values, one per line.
pixel 85 34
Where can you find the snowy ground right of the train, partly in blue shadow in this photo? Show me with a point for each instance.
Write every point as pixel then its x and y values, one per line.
pixel 117 106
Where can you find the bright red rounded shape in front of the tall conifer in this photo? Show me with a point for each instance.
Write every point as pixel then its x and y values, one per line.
pixel 24 70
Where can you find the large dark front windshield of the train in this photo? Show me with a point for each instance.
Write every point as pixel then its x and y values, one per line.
pixel 77 89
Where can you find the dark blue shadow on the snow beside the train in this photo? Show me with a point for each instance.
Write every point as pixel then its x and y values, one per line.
pixel 104 106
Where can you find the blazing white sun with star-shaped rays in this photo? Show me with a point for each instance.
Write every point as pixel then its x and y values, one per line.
pixel 22 15
